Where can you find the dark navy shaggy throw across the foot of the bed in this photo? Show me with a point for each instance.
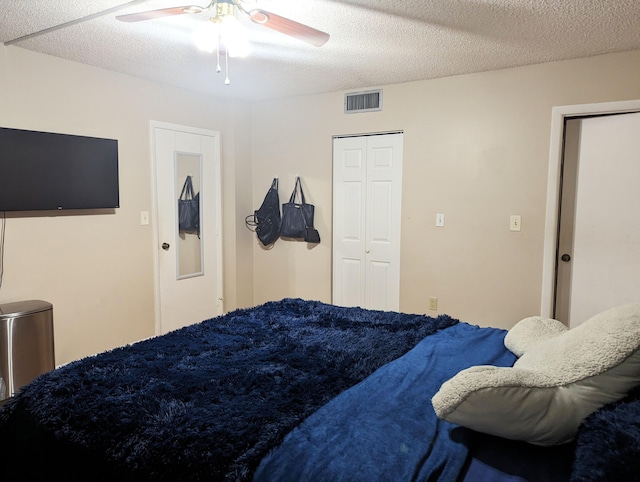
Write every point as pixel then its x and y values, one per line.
pixel 206 402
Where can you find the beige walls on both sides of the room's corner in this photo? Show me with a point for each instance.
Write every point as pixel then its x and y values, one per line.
pixel 476 149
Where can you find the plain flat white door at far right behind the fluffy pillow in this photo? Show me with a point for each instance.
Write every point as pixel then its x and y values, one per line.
pixel 605 269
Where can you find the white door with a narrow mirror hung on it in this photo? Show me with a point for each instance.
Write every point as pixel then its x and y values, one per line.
pixel 188 263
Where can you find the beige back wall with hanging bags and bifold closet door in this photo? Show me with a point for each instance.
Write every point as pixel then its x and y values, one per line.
pixel 476 148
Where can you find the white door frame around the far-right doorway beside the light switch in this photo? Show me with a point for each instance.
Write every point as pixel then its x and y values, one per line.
pixel 554 179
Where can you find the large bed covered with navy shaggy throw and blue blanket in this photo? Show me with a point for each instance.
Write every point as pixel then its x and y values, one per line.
pixel 300 390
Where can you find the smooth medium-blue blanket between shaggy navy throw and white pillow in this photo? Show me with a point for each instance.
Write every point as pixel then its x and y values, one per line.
pixel 384 428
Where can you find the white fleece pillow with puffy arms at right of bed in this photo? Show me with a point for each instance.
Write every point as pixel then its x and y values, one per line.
pixel 554 385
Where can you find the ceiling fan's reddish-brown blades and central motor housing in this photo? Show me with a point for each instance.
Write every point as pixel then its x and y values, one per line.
pixel 224 8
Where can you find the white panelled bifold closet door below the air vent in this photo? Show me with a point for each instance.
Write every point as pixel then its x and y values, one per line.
pixel 367 197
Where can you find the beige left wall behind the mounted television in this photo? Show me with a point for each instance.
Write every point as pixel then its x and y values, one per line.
pixel 98 270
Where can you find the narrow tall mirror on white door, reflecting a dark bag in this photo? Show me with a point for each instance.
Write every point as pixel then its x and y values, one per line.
pixel 188 175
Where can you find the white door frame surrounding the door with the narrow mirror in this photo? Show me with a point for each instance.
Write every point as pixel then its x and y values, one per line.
pixel 154 219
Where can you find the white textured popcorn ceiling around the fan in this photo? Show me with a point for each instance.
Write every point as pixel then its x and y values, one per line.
pixel 373 42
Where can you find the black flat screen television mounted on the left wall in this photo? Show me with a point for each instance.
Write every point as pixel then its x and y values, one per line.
pixel 46 171
